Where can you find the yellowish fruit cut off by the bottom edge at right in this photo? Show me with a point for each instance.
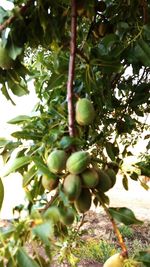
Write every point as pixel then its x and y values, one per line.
pixel 115 260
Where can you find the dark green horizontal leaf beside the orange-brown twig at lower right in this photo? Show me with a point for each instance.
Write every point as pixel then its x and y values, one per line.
pixel 124 215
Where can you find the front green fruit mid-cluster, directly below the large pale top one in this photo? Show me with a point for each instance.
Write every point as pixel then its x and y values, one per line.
pixel 72 186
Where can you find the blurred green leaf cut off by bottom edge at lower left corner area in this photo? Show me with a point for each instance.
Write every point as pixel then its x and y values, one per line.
pixel 24 260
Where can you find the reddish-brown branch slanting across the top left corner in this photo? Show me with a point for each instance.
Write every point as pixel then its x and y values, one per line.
pixel 13 18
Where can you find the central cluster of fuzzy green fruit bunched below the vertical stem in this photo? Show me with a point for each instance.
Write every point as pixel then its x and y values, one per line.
pixel 80 178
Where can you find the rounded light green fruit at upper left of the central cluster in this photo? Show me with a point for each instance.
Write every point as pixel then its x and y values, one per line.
pixel 57 161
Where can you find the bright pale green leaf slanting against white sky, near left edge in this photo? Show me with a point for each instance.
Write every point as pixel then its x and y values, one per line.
pixel 14 165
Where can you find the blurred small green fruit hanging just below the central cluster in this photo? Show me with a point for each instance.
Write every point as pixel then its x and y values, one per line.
pixel 67 216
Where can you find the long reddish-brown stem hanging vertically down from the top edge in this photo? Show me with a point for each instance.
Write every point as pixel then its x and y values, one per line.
pixel 71 71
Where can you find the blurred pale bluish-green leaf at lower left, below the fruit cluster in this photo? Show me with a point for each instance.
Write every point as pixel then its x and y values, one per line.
pixel 44 231
